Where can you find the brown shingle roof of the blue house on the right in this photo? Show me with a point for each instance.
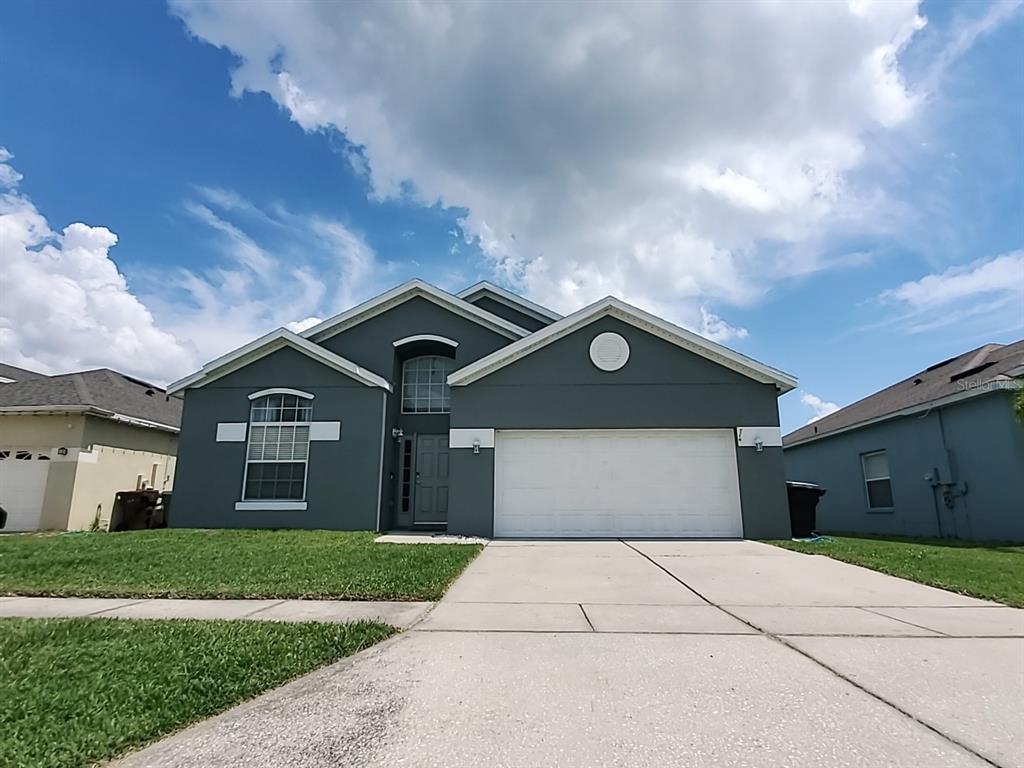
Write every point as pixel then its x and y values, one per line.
pixel 970 370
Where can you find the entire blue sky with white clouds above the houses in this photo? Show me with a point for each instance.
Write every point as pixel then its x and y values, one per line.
pixel 851 216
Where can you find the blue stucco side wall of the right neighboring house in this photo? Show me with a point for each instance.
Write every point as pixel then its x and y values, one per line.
pixel 984 447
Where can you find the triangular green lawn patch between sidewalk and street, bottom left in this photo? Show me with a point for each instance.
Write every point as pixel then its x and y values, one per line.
pixel 74 692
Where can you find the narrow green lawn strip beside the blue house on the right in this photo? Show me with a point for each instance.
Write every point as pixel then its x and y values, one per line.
pixel 986 570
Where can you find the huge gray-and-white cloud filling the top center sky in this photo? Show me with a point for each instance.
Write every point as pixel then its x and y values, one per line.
pixel 647 150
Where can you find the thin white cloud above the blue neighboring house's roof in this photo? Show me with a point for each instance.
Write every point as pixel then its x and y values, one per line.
pixel 988 289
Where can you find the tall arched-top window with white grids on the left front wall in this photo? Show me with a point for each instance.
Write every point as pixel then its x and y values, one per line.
pixel 279 447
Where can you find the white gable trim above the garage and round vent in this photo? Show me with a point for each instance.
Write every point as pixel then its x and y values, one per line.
pixel 614 308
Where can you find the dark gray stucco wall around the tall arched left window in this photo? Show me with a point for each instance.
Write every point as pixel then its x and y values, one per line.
pixel 344 477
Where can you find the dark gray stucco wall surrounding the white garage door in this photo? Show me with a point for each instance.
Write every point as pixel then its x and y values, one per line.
pixel 662 387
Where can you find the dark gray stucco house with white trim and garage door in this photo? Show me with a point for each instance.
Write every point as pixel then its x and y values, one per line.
pixel 485 414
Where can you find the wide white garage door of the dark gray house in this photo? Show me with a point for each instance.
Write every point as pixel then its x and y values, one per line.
pixel 617 484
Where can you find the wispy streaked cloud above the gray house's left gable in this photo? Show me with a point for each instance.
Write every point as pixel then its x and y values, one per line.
pixel 305 267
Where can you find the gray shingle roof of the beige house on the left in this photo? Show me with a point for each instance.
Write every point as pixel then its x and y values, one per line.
pixel 103 389
